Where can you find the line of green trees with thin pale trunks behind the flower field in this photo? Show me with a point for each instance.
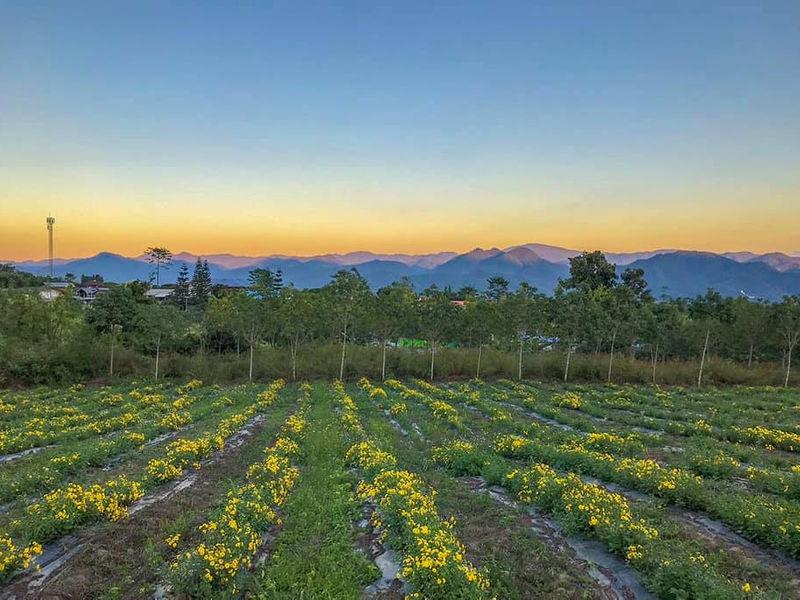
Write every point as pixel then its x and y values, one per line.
pixel 592 312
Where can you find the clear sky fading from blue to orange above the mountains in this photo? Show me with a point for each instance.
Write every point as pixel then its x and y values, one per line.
pixel 294 127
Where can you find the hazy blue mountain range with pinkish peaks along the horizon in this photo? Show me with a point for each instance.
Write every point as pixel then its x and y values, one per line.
pixel 670 272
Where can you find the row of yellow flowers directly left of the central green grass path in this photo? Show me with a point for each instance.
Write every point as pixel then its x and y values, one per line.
pixel 233 535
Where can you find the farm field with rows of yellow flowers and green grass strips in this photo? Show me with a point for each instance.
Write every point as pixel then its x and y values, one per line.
pixel 399 489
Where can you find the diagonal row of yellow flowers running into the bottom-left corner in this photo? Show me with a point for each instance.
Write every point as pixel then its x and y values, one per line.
pixel 64 509
